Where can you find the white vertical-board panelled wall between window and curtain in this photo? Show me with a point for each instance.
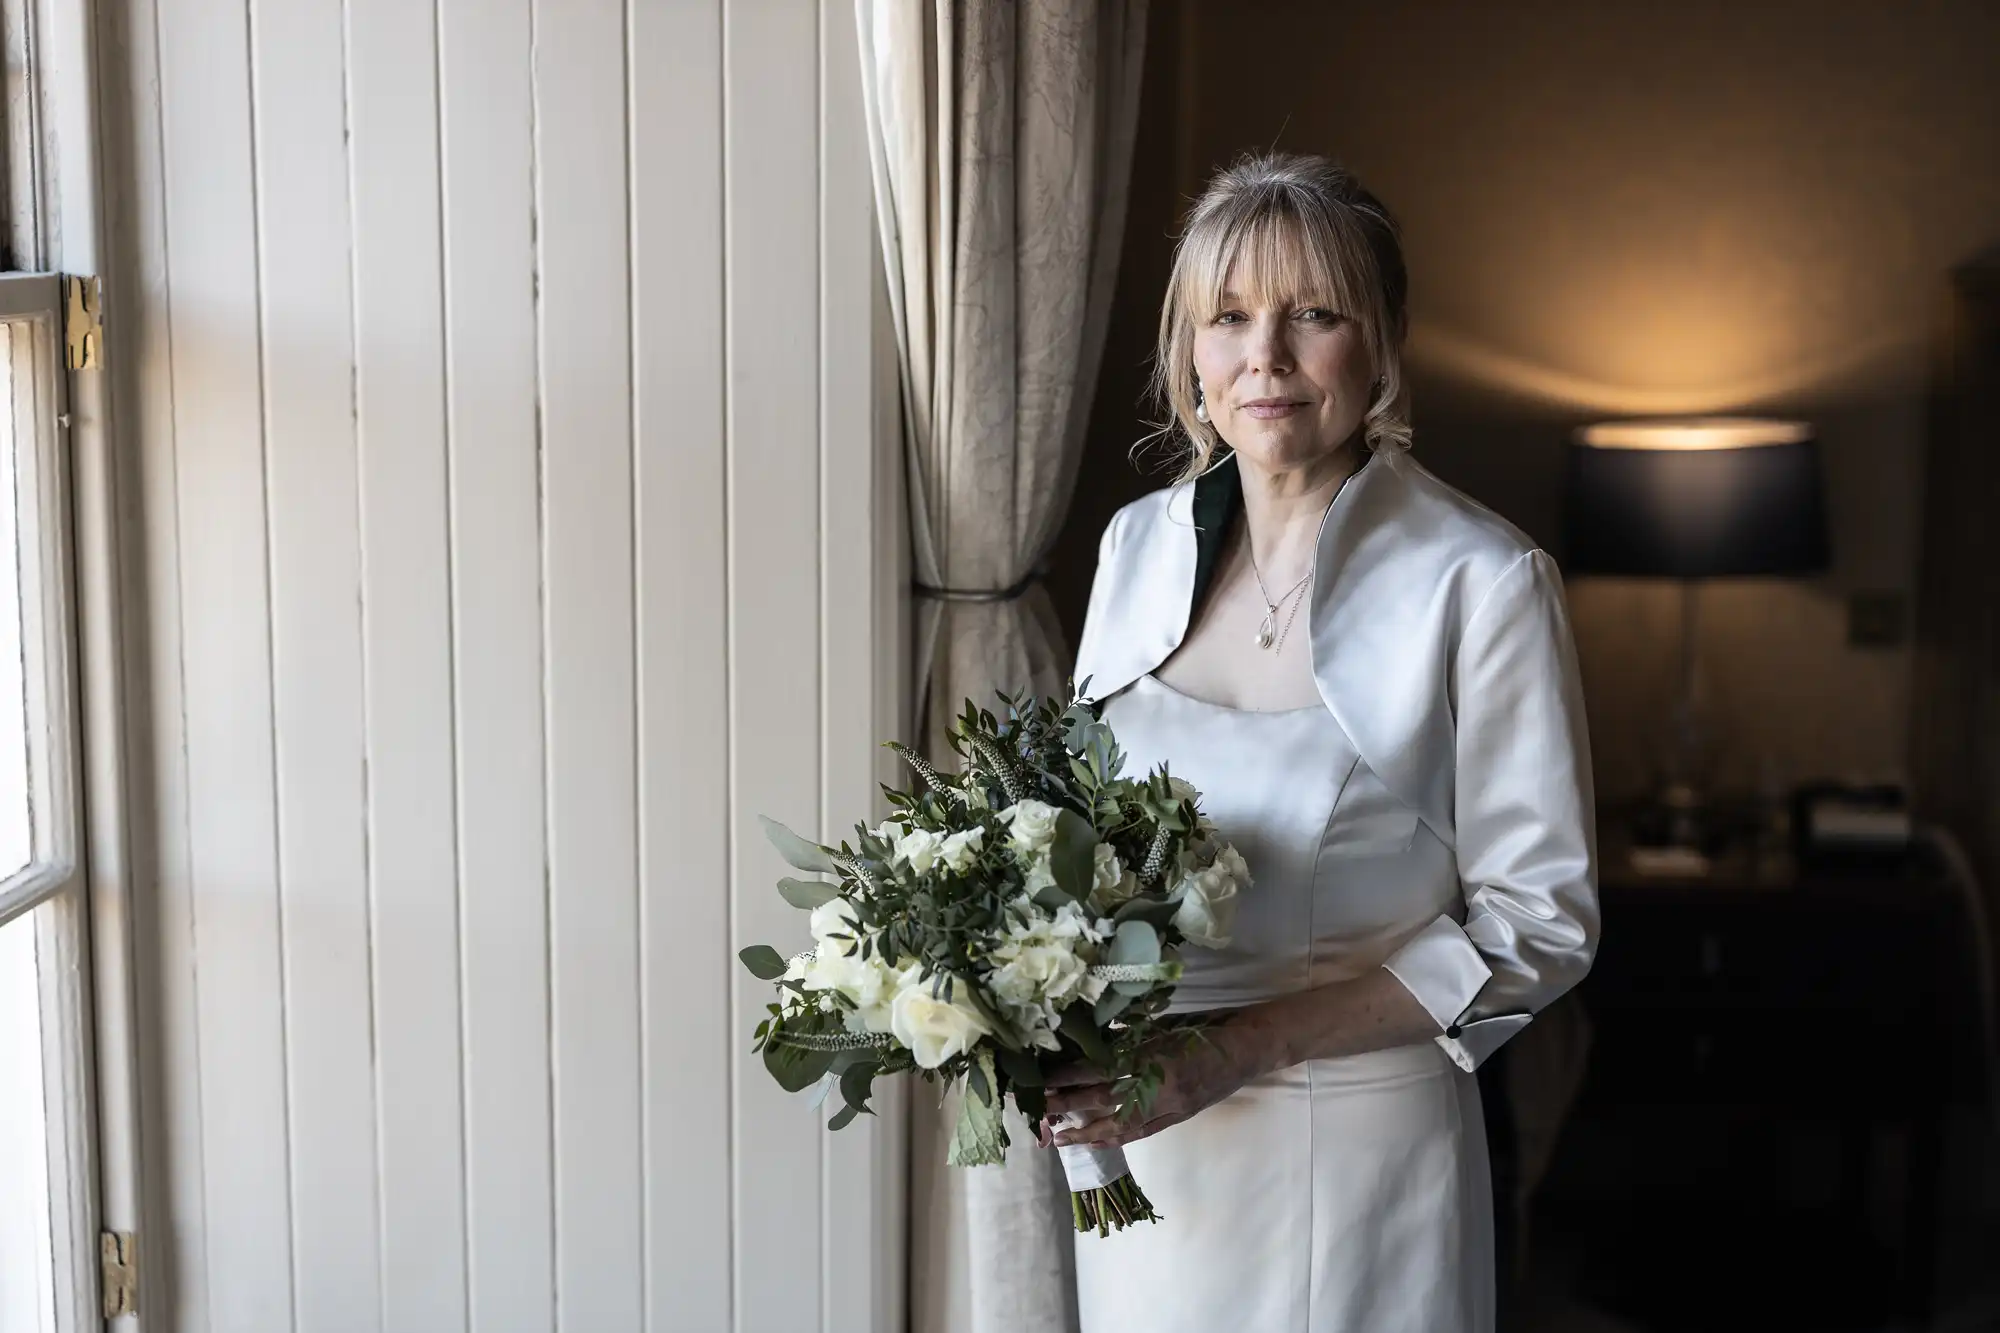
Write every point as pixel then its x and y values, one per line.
pixel 513 519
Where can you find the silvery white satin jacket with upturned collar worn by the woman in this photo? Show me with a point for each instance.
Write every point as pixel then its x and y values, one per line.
pixel 1443 647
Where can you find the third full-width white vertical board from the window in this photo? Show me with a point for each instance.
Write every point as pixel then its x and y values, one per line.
pixel 413 820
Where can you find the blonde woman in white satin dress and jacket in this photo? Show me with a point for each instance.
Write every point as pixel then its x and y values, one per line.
pixel 1373 684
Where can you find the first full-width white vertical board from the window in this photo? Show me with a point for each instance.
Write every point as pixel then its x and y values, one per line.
pixel 211 201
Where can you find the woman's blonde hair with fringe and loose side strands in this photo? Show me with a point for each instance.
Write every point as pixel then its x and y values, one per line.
pixel 1307 231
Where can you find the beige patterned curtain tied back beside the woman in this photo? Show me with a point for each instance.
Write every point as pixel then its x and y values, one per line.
pixel 1001 139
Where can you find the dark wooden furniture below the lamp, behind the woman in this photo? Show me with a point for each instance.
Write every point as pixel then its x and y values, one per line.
pixel 1757 1138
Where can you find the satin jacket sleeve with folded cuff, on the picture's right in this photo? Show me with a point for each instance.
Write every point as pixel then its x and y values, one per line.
pixel 1525 824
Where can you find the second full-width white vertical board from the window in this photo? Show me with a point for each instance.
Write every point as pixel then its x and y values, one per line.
pixel 317 663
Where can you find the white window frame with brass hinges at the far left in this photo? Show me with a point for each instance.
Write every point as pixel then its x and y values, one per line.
pixel 81 886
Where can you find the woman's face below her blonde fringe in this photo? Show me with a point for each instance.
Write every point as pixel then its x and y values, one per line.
pixel 1287 381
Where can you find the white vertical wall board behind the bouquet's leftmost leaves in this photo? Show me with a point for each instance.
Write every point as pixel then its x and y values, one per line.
pixel 771 135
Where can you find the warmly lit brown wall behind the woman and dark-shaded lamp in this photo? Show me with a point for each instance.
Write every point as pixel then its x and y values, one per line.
pixel 1619 209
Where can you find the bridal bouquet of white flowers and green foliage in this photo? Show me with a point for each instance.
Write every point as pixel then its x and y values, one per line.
pixel 1023 914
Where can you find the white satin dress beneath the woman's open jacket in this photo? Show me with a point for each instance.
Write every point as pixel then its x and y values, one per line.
pixel 1345 1196
